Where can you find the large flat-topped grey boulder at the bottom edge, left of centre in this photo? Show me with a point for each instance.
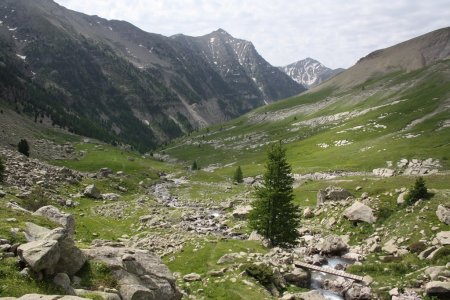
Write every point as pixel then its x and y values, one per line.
pixel 140 273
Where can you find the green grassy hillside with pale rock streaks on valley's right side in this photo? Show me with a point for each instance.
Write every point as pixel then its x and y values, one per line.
pixel 400 115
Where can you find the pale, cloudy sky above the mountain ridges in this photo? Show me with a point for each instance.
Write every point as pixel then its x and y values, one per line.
pixel 335 32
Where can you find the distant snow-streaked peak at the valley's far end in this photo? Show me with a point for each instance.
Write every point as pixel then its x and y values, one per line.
pixel 309 72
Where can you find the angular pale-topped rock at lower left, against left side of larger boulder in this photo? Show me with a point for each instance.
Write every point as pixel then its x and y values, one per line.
pixel 40 255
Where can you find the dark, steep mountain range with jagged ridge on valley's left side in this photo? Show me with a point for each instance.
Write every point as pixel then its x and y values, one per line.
pixel 112 81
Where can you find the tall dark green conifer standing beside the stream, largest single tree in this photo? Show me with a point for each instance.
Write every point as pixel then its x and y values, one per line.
pixel 274 214
